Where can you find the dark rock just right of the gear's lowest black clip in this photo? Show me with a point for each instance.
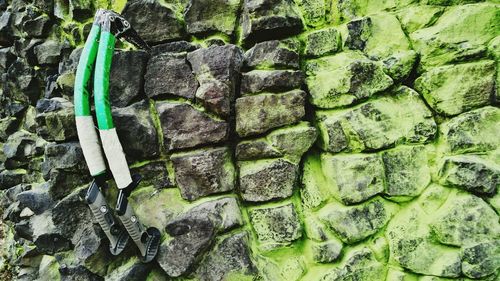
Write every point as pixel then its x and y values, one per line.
pixel 192 237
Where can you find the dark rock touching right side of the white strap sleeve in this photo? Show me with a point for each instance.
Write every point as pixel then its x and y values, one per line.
pixel 136 131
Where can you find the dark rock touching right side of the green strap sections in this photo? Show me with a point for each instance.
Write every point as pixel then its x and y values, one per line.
pixel 126 78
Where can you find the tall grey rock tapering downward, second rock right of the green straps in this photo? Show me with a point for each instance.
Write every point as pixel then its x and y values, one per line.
pixel 217 72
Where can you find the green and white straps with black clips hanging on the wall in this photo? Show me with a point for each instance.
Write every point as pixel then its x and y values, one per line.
pixel 98 50
